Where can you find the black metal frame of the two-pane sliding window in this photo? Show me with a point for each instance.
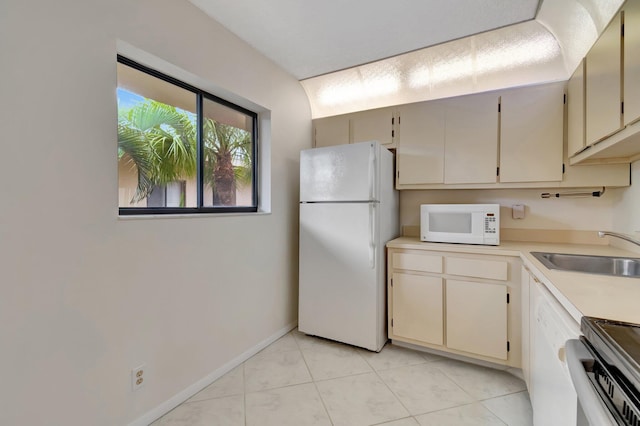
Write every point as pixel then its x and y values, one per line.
pixel 200 96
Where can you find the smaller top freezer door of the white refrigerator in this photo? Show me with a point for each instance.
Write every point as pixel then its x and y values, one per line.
pixel 339 173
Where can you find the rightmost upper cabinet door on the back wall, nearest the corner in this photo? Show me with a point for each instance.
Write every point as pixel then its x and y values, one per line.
pixel 531 138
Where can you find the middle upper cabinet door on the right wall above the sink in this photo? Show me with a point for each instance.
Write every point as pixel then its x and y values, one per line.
pixel 603 115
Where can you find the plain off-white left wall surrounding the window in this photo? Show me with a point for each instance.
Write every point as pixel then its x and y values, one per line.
pixel 86 296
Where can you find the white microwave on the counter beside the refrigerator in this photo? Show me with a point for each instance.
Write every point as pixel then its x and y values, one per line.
pixel 460 223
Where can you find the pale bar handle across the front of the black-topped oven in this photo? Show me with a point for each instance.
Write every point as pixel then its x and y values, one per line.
pixel 592 405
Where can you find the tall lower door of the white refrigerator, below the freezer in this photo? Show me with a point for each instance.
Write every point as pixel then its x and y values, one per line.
pixel 341 283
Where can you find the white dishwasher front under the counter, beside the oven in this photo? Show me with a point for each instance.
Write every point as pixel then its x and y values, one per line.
pixel 552 394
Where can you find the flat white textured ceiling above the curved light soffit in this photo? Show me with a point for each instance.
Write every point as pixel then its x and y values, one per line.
pixel 310 38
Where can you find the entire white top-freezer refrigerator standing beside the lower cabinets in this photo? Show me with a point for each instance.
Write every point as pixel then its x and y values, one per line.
pixel 348 211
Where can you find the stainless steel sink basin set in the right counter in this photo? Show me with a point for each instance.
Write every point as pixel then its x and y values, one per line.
pixel 604 265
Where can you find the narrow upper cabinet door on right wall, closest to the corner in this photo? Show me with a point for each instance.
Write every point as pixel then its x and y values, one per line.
pixel 575 111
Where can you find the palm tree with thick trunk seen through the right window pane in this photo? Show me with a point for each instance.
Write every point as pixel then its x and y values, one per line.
pixel 227 160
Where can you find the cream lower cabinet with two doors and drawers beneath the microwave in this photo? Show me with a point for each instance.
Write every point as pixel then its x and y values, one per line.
pixel 466 304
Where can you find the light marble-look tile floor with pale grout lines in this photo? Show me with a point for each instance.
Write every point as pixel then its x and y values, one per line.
pixel 301 380
